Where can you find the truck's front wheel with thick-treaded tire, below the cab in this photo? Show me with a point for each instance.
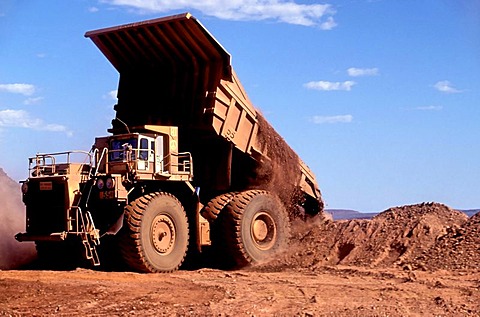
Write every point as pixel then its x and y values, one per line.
pixel 154 238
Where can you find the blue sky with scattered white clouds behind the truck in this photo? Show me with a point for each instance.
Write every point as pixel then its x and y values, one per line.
pixel 379 97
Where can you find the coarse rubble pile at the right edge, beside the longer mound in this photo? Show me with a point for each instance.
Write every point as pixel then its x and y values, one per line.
pixel 458 250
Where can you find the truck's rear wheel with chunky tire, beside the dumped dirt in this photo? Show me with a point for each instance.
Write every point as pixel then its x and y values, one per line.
pixel 256 227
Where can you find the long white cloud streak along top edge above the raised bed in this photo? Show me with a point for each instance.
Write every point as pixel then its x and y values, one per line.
pixel 243 10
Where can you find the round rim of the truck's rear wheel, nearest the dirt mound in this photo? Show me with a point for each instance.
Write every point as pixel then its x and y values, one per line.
pixel 263 231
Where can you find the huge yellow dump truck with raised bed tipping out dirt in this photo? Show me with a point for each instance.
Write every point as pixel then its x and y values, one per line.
pixel 189 163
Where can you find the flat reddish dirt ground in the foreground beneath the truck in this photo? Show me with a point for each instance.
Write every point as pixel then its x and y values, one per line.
pixel 330 291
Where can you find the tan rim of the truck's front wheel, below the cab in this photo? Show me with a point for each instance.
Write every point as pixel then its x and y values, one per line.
pixel 163 234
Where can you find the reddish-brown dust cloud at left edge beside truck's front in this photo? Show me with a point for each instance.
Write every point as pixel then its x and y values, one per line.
pixel 13 254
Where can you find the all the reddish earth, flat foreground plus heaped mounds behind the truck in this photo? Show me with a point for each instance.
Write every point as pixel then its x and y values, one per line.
pixel 417 260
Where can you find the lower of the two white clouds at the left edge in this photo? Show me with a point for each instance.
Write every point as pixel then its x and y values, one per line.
pixel 22 119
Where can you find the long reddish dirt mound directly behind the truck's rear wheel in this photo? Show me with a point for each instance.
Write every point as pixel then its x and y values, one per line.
pixel 397 237
